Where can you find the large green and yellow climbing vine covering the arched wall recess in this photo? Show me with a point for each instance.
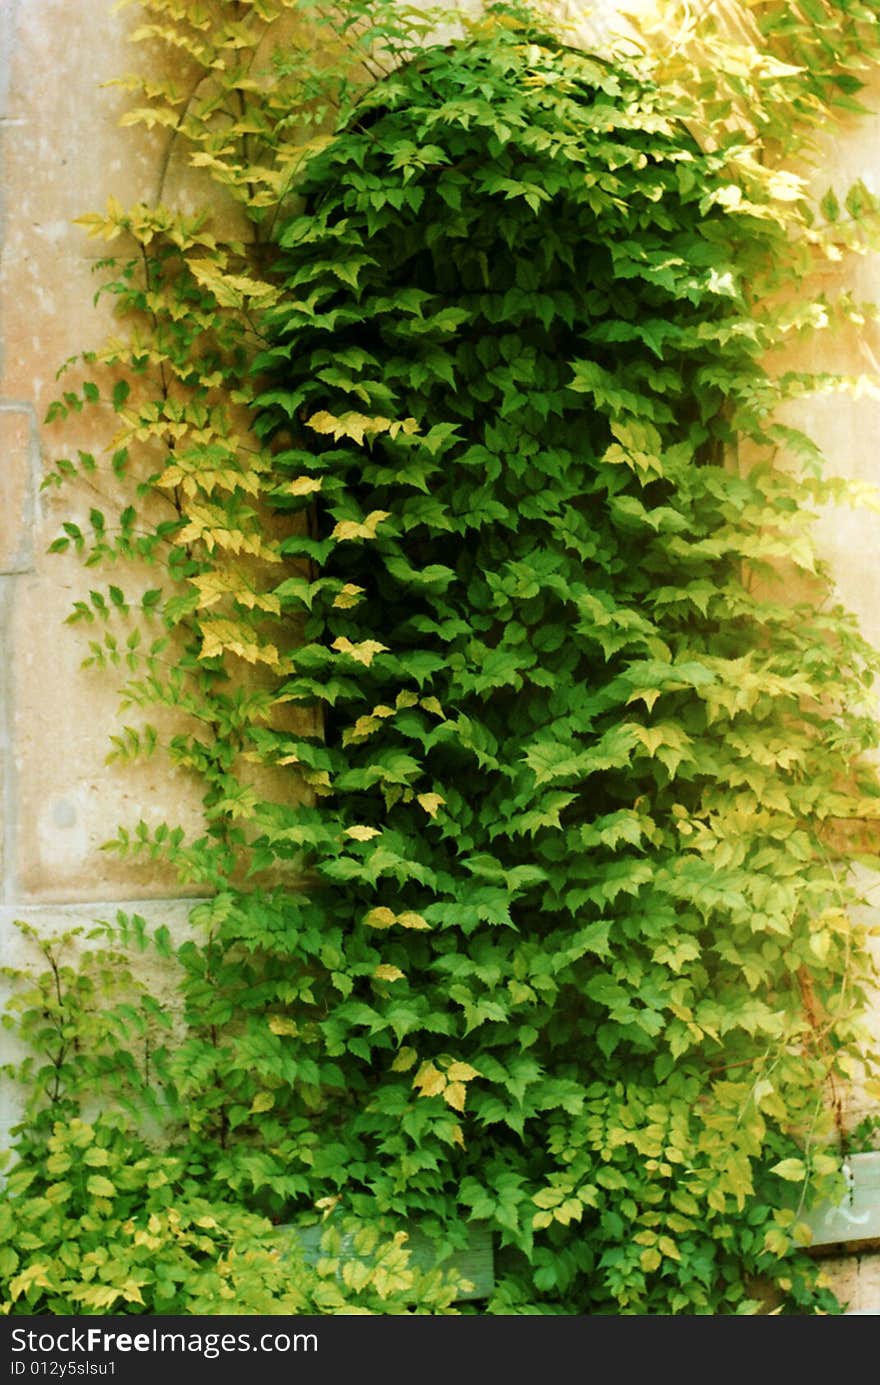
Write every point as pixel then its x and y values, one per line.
pixel 529 798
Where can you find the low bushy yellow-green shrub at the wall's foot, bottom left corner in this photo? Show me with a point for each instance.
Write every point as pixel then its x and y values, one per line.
pixel 103 1225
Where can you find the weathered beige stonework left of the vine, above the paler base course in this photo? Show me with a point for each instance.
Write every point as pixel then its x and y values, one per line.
pixel 64 154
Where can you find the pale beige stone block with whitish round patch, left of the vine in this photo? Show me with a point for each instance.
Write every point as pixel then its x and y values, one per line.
pixel 69 800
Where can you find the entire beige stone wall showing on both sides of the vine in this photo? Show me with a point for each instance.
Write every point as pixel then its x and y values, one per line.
pixel 64 153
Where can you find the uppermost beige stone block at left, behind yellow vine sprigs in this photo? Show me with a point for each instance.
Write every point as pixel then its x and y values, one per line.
pixel 66 156
